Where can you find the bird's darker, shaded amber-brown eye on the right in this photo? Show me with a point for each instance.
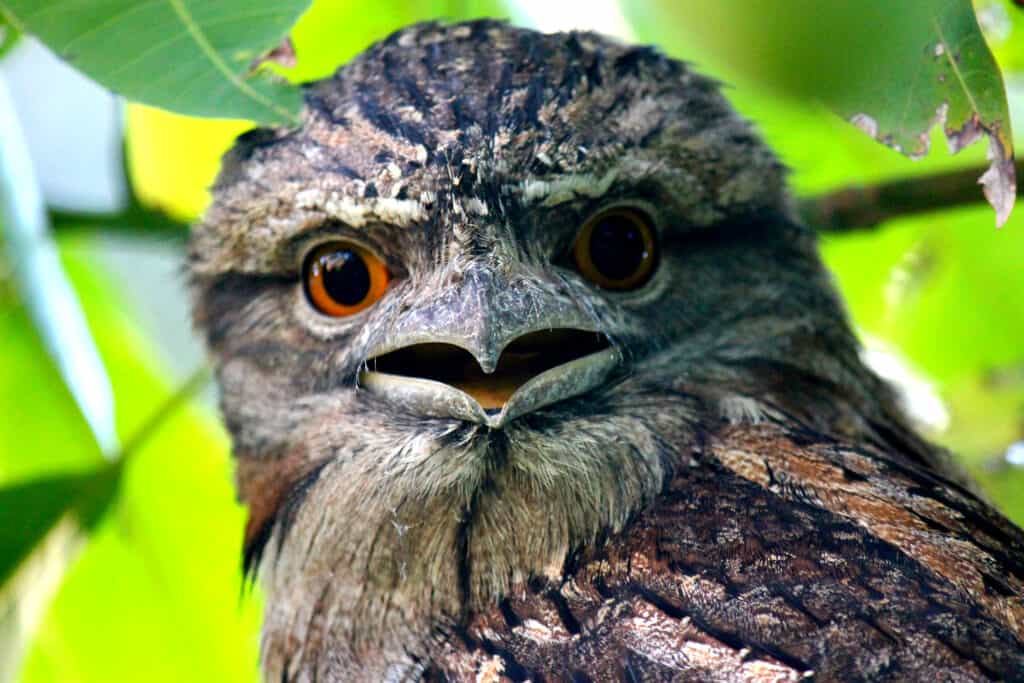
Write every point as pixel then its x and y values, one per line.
pixel 617 249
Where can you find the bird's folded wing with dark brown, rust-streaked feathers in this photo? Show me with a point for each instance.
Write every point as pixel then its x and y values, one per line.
pixel 777 554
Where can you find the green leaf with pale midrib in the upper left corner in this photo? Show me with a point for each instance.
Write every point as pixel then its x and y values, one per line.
pixel 192 57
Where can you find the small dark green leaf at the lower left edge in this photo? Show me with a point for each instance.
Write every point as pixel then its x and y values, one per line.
pixel 29 511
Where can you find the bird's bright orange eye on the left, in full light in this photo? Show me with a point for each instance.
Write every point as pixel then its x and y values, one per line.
pixel 343 279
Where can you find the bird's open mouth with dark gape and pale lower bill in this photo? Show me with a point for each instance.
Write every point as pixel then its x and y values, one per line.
pixel 535 370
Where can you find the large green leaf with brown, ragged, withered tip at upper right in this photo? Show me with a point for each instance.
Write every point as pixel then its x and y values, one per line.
pixel 933 66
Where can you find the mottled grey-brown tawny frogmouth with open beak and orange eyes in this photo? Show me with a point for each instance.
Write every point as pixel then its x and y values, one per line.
pixel 533 372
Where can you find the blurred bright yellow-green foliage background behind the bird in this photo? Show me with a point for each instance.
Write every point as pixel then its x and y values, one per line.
pixel 155 592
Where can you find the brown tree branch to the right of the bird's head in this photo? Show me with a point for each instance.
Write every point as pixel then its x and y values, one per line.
pixel 864 207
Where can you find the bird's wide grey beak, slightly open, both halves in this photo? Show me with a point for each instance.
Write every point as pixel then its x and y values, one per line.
pixel 489 353
